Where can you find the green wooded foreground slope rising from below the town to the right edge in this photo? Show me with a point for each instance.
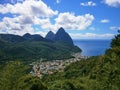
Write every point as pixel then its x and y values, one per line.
pixel 95 73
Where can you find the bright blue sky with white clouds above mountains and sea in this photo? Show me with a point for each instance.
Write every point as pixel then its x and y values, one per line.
pixel 82 19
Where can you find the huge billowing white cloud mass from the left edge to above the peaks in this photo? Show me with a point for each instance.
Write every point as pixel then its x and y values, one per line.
pixel 36 12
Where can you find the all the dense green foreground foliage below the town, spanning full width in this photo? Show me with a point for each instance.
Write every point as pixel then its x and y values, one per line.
pixel 94 73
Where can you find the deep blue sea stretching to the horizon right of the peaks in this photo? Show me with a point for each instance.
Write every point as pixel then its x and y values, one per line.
pixel 93 47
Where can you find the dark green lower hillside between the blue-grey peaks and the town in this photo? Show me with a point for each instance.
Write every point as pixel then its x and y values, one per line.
pixel 33 50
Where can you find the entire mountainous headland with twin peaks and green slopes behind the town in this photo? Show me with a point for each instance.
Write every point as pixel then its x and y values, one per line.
pixel 34 47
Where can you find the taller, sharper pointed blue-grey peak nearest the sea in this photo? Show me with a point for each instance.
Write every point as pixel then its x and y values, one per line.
pixel 63 36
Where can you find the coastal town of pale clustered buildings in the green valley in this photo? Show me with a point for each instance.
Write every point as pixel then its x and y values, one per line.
pixel 50 67
